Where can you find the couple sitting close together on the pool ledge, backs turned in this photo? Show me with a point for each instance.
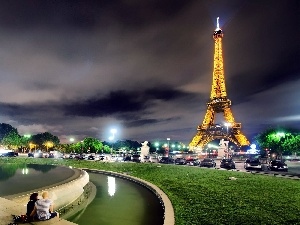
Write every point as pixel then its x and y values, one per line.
pixel 40 209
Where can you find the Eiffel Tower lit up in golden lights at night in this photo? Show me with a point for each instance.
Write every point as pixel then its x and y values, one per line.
pixel 219 103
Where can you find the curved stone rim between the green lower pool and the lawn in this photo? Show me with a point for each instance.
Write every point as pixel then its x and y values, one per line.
pixel 169 217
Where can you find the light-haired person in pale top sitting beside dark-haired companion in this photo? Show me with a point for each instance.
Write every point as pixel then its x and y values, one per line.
pixel 43 208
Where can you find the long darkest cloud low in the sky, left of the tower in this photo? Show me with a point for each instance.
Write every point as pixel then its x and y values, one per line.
pixel 120 102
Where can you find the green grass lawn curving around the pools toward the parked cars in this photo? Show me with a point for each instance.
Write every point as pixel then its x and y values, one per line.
pixel 208 196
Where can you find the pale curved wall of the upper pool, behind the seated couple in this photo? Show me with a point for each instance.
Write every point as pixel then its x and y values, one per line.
pixel 62 194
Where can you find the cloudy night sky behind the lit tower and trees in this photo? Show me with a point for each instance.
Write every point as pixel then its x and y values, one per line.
pixel 79 68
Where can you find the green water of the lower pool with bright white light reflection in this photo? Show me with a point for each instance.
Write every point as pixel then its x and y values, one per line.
pixel 119 202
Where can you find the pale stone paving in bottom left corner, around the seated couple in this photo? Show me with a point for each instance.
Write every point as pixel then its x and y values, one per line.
pixel 9 208
